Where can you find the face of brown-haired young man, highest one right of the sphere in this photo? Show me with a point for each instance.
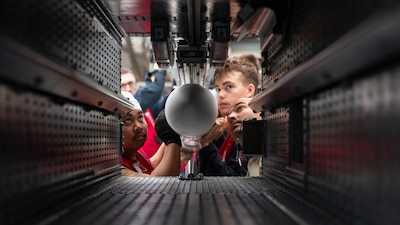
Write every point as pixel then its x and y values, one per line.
pixel 229 89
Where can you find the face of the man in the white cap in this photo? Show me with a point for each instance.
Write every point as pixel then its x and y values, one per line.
pixel 135 130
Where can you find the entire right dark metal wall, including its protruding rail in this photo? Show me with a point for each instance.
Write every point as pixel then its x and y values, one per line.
pixel 349 125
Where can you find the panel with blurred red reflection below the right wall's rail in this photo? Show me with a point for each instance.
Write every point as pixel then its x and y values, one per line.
pixel 354 146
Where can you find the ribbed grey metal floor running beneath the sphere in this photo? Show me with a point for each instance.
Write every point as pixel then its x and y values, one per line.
pixel 168 200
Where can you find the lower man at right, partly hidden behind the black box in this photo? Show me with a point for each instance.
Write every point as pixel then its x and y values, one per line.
pixel 239 112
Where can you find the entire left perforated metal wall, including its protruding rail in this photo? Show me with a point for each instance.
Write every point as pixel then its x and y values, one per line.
pixel 53 147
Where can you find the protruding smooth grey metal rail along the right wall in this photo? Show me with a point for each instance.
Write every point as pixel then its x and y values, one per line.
pixel 367 44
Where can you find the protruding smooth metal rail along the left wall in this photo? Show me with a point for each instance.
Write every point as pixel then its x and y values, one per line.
pixel 23 66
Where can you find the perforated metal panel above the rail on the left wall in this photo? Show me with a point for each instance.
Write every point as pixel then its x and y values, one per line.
pixel 67 34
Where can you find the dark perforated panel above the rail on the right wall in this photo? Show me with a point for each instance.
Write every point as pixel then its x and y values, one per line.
pixel 313 25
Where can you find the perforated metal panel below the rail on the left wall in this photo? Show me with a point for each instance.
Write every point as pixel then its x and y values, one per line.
pixel 49 144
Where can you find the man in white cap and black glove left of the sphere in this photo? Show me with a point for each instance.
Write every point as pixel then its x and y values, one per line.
pixel 166 162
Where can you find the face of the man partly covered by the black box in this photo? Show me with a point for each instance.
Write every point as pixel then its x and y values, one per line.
pixel 240 111
